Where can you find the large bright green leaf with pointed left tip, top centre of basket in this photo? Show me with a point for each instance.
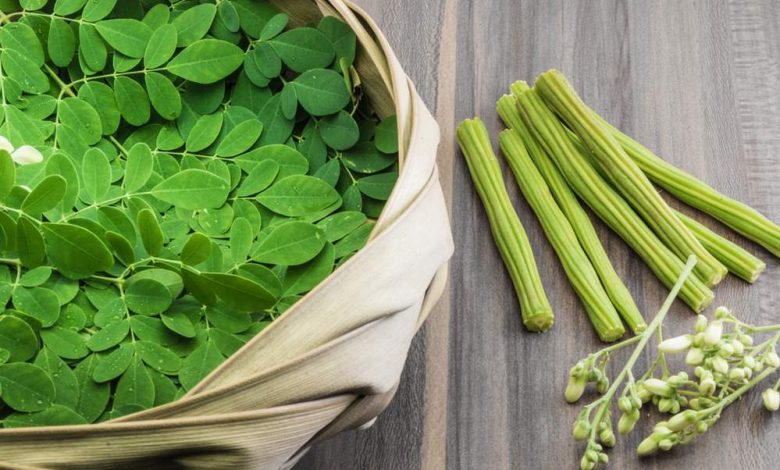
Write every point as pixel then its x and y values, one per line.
pixel 207 61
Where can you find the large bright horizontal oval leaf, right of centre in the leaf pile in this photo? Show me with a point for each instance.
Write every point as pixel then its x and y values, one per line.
pixel 298 195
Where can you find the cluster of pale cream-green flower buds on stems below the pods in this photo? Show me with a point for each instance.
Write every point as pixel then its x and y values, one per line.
pixel 727 362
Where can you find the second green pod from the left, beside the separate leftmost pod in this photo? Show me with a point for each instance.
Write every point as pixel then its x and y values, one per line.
pixel 560 233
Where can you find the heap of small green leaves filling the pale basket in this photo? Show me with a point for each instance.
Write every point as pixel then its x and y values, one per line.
pixel 204 166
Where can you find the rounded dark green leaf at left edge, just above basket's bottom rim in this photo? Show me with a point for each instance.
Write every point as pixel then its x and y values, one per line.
pixel 26 387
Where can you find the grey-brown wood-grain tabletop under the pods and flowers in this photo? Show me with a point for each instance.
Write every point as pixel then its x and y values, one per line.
pixel 698 82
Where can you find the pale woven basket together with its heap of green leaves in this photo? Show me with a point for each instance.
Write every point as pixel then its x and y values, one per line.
pixel 220 227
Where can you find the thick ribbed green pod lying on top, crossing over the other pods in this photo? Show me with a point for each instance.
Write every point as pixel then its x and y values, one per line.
pixel 626 175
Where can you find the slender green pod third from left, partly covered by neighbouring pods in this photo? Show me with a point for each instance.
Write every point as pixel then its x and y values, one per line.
pixel 580 221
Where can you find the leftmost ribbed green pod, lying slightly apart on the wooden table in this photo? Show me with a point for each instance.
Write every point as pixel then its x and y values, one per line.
pixel 508 232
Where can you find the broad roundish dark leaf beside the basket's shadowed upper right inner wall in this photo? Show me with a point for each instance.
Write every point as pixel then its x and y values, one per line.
pixel 321 92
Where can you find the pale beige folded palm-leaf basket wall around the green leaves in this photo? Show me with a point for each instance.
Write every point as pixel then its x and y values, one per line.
pixel 330 363
